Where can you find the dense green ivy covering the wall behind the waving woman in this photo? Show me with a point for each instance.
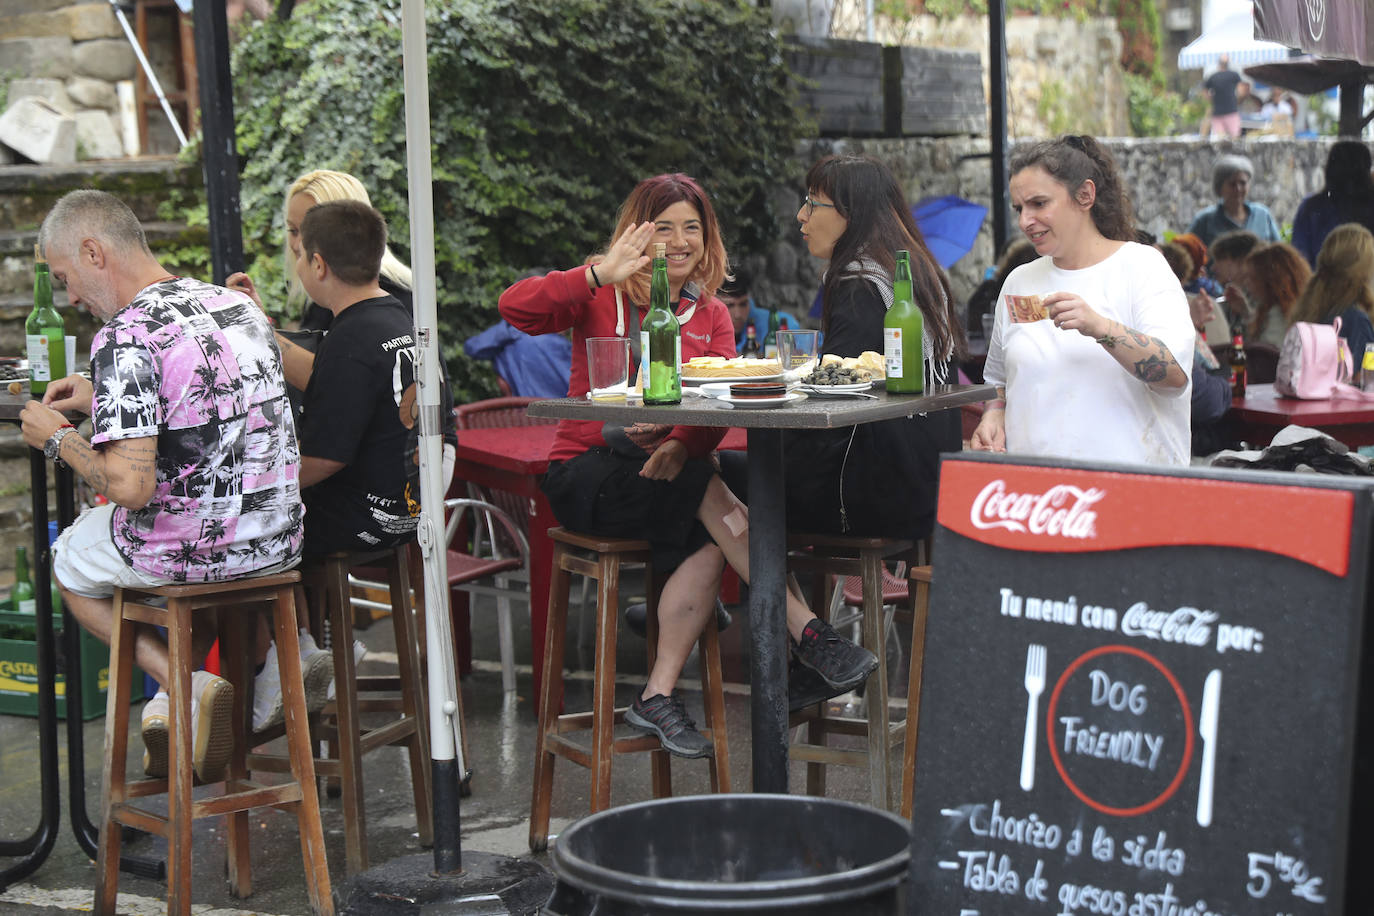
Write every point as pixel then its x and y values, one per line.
pixel 543 119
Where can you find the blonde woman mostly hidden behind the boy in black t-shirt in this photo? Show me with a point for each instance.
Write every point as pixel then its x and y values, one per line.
pixel 322 186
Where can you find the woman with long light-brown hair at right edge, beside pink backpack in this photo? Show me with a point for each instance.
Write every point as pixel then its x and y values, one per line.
pixel 1340 289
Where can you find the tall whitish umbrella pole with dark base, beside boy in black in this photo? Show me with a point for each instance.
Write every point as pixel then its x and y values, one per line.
pixel 443 679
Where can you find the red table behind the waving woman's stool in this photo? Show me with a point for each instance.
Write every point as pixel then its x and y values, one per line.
pixel 515 459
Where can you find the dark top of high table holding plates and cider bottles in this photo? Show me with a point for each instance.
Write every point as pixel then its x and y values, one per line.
pixel 813 413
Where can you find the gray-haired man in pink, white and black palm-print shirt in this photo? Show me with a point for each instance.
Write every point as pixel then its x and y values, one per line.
pixel 193 447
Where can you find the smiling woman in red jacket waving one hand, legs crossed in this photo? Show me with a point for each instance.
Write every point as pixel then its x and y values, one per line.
pixel 659 483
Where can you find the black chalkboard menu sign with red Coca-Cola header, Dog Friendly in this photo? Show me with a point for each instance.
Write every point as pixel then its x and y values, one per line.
pixel 1141 694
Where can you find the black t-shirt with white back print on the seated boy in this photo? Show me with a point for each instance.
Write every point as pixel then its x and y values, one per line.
pixel 359 410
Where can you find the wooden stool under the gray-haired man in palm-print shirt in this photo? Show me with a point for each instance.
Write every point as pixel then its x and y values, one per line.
pixel 240 794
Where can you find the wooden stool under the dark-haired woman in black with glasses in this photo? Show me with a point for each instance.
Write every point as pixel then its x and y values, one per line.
pixel 864 557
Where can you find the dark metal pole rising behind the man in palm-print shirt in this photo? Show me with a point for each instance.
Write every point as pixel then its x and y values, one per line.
pixel 222 161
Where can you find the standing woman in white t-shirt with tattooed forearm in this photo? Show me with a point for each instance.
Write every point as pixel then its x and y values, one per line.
pixel 1101 376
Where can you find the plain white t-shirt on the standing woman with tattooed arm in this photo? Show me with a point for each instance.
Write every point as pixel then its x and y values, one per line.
pixel 1067 398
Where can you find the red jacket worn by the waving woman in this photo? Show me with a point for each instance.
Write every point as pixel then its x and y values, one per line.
pixel 563 300
